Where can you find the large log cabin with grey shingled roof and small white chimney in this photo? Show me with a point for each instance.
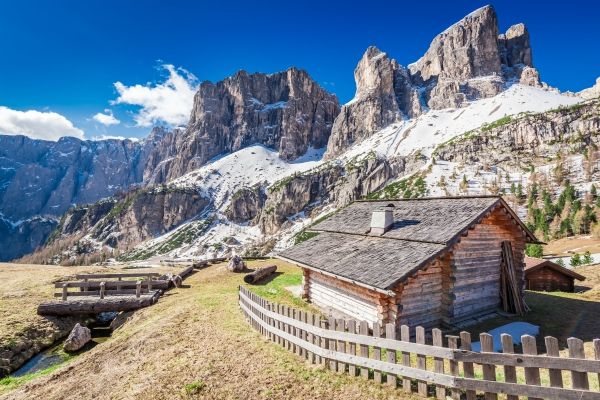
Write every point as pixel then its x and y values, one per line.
pixel 429 262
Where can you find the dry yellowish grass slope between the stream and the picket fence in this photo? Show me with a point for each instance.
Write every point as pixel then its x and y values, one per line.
pixel 195 344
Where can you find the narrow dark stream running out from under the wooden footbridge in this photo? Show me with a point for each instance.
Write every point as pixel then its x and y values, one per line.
pixel 101 331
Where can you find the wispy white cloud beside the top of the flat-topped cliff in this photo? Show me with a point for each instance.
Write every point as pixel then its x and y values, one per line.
pixel 170 101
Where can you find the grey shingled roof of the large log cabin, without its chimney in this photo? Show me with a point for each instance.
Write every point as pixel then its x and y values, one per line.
pixel 422 230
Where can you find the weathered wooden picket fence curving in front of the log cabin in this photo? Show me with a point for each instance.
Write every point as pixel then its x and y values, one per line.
pixel 426 365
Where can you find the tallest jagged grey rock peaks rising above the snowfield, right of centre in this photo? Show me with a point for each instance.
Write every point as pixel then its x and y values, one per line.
pixel 467 61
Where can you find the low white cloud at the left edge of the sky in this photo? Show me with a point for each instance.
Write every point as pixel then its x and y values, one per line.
pixel 36 124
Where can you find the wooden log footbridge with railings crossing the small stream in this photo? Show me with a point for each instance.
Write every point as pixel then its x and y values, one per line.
pixel 95 293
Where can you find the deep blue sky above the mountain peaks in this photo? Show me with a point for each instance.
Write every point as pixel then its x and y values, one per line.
pixel 61 59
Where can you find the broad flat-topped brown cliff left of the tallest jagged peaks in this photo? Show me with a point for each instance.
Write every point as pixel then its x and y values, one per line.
pixel 286 111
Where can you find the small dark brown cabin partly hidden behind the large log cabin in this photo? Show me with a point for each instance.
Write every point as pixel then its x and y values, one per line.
pixel 548 276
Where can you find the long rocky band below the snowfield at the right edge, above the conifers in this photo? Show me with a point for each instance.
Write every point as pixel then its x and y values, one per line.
pixel 523 140
